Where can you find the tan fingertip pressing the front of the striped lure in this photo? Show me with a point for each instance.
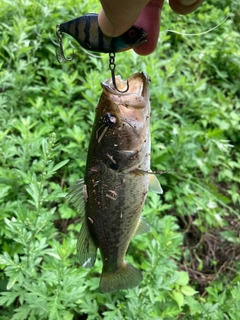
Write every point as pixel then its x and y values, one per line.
pixel 116 17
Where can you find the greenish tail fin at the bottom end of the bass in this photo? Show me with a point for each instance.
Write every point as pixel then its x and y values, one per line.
pixel 126 277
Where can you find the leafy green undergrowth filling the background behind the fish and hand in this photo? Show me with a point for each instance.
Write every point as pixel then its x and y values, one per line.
pixel 190 260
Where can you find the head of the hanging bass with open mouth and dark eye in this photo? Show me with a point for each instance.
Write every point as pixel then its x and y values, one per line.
pixel 122 124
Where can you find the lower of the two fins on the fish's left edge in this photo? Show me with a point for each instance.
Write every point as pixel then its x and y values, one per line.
pixel 86 248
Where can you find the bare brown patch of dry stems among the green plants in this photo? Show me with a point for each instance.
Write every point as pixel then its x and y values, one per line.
pixel 206 256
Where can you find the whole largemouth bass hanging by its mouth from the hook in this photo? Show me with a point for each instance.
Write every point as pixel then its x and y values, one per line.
pixel 116 182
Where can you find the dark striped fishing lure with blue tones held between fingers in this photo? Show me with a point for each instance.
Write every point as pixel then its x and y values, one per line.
pixel 86 31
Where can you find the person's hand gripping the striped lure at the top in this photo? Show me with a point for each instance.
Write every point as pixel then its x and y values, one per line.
pixel 116 17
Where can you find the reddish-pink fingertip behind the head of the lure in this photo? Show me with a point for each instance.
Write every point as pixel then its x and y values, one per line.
pixel 149 20
